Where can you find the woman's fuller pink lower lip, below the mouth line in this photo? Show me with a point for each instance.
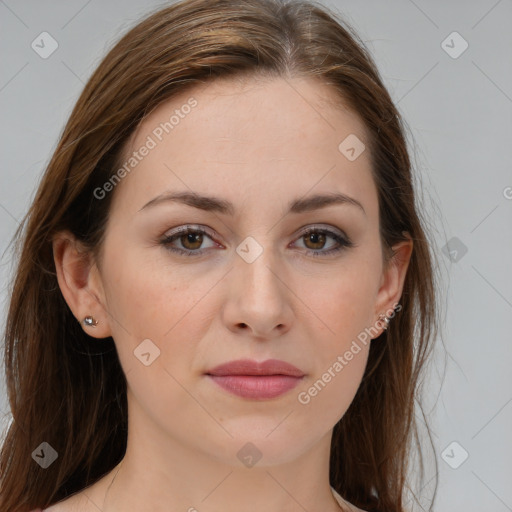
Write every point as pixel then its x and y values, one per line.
pixel 261 387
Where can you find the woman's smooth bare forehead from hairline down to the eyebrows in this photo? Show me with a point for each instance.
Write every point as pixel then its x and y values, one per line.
pixel 237 134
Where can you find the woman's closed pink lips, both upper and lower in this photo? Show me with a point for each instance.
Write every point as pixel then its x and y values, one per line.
pixel 260 381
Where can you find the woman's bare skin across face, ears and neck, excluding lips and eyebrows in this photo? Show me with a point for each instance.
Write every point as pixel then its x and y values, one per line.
pixel 259 145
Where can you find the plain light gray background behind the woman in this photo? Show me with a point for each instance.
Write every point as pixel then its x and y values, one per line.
pixel 459 111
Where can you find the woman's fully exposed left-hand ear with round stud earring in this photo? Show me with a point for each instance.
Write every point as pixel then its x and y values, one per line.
pixel 80 283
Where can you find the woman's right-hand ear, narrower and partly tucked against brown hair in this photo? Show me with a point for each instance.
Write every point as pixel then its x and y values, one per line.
pixel 393 278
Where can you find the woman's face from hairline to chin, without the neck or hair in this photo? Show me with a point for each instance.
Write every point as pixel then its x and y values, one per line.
pixel 252 159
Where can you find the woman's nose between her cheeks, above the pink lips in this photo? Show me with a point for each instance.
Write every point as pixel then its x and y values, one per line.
pixel 258 298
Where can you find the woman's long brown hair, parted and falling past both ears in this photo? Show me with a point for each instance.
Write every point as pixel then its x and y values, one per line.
pixel 64 387
